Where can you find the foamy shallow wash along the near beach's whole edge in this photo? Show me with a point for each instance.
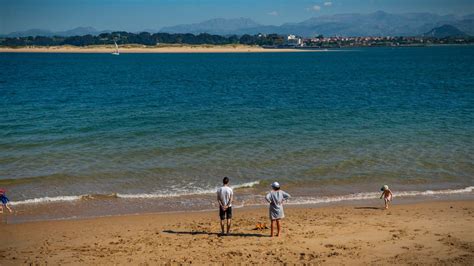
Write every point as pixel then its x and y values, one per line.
pixel 94 206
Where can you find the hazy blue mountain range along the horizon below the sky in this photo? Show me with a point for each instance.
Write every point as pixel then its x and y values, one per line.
pixel 373 24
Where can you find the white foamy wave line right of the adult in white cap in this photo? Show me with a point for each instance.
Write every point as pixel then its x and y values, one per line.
pixel 376 195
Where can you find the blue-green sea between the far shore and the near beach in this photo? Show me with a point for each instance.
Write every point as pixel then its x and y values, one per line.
pixel 86 135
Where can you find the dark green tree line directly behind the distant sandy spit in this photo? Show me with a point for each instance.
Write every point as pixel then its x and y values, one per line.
pixel 144 38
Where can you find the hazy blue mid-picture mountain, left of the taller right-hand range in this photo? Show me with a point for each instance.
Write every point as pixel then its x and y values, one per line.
pixel 214 26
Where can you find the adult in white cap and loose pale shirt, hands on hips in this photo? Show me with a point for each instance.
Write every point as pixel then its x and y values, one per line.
pixel 276 198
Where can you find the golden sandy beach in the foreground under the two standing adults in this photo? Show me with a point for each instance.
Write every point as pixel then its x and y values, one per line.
pixel 428 233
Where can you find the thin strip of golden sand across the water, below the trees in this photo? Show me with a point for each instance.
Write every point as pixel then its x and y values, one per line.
pixel 146 49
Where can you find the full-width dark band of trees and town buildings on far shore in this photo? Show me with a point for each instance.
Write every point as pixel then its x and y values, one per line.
pixel 269 41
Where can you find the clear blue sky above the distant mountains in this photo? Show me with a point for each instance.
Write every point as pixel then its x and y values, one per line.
pixel 138 15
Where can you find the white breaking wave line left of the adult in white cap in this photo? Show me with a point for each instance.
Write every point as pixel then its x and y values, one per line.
pixel 127 196
